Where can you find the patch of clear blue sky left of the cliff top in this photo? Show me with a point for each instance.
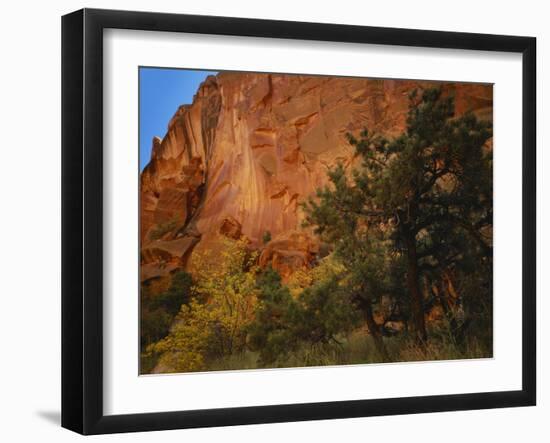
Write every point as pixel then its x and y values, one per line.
pixel 161 92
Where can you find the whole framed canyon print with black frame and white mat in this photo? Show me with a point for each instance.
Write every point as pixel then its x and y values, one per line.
pixel 270 221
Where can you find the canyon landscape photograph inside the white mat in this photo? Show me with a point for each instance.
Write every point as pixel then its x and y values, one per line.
pixel 294 220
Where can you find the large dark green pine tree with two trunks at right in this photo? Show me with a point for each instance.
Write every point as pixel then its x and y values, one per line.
pixel 421 203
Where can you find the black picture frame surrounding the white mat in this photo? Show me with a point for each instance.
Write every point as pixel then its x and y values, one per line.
pixel 82 218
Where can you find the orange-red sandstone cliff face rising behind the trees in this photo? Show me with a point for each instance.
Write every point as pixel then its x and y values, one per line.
pixel 250 148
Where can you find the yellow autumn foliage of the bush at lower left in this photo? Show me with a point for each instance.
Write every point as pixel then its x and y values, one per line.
pixel 213 324
